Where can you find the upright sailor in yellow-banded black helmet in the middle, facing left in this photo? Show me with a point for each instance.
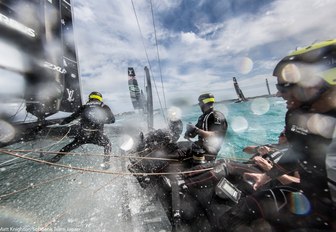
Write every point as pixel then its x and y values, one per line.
pixel 211 129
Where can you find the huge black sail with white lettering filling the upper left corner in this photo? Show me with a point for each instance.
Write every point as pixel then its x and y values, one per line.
pixel 39 59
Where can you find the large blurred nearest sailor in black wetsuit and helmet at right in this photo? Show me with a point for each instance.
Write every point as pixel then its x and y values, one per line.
pixel 307 81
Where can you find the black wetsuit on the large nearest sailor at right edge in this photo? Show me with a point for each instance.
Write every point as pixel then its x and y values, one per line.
pixel 309 142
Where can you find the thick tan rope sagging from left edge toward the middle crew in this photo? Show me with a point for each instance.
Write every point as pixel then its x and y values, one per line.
pixel 104 171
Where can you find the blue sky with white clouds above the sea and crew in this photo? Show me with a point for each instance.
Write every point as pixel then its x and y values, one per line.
pixel 192 46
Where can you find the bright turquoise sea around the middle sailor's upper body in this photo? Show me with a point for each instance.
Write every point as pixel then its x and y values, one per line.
pixel 255 122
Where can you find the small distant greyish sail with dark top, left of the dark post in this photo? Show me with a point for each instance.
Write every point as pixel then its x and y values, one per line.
pixel 135 93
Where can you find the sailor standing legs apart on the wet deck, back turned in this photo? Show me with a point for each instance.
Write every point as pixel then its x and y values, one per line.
pixel 93 115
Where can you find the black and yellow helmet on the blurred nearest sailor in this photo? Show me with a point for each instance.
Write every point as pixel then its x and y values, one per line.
pixel 310 66
